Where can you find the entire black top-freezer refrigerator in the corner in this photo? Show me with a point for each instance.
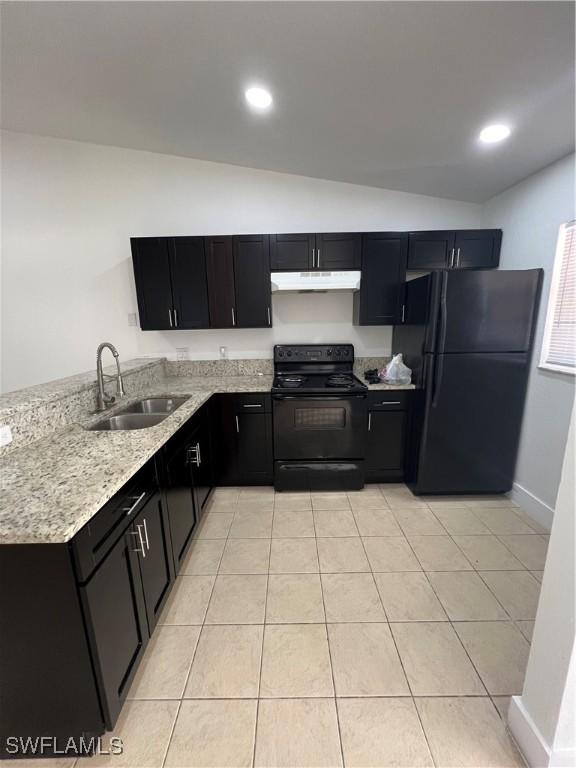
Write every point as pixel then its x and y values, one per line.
pixel 468 338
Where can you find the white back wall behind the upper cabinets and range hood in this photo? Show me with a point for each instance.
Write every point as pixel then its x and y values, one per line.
pixel 69 209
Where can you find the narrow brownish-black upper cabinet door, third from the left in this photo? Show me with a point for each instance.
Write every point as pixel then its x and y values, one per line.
pixel 220 272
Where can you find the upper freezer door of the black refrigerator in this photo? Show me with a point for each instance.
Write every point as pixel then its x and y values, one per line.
pixel 488 311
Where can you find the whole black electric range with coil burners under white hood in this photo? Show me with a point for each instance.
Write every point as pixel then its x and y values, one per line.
pixel 320 417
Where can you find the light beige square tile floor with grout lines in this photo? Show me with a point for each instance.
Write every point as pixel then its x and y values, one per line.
pixel 371 628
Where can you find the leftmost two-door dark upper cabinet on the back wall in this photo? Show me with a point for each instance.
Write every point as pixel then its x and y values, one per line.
pixel 170 275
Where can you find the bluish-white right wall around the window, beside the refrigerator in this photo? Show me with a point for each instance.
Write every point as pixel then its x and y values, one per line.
pixel 530 214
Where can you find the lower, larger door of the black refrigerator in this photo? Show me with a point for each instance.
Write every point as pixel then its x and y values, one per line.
pixel 472 420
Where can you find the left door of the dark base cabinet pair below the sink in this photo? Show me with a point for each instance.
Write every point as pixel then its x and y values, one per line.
pixel 180 502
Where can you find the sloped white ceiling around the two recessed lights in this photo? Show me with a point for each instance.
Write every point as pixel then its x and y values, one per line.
pixel 387 94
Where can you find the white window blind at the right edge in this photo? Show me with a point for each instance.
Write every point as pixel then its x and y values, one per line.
pixel 559 348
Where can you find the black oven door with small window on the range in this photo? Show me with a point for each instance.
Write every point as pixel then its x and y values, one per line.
pixel 319 426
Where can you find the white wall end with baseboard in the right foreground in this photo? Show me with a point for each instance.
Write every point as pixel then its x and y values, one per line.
pixel 543 719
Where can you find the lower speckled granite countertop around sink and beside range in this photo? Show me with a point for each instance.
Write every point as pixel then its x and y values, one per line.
pixel 54 486
